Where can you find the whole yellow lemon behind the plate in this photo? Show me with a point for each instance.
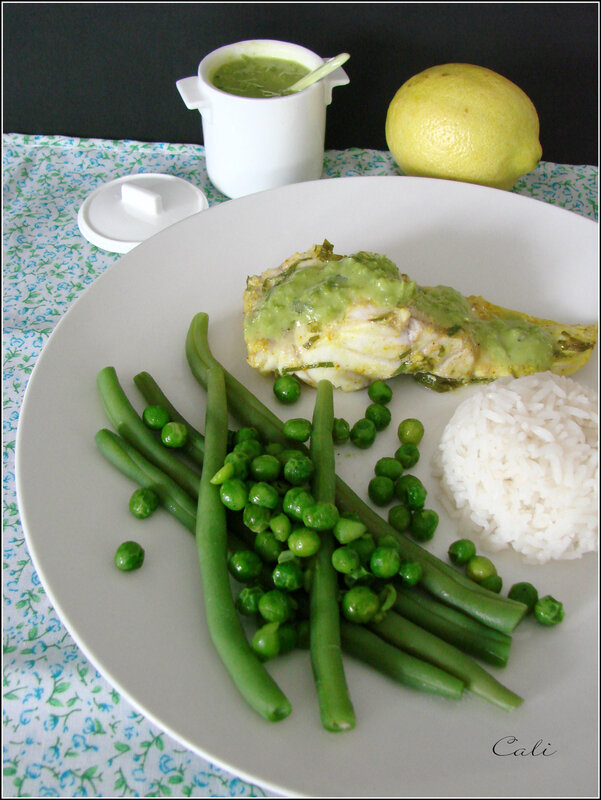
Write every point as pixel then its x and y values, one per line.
pixel 466 123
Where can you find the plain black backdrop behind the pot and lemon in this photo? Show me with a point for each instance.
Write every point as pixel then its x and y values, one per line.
pixel 108 70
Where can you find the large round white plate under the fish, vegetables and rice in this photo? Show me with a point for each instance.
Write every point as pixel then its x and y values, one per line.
pixel 145 631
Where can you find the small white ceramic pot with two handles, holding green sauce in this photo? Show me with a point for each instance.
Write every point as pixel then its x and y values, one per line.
pixel 252 144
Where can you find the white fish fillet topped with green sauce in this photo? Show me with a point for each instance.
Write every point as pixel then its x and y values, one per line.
pixel 361 319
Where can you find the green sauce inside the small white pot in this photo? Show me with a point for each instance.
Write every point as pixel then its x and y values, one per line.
pixel 257 76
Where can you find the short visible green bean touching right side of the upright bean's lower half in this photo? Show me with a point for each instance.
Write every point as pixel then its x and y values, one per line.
pixel 366 646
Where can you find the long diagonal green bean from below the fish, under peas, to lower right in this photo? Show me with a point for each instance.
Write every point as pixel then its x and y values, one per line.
pixel 442 580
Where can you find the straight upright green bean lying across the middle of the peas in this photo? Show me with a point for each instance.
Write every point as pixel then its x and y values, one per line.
pixel 336 708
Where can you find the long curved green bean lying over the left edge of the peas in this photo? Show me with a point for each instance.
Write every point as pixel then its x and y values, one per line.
pixel 246 670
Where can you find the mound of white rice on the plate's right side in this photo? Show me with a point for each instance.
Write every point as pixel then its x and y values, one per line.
pixel 519 465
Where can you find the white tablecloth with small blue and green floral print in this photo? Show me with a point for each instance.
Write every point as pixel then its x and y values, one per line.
pixel 67 733
